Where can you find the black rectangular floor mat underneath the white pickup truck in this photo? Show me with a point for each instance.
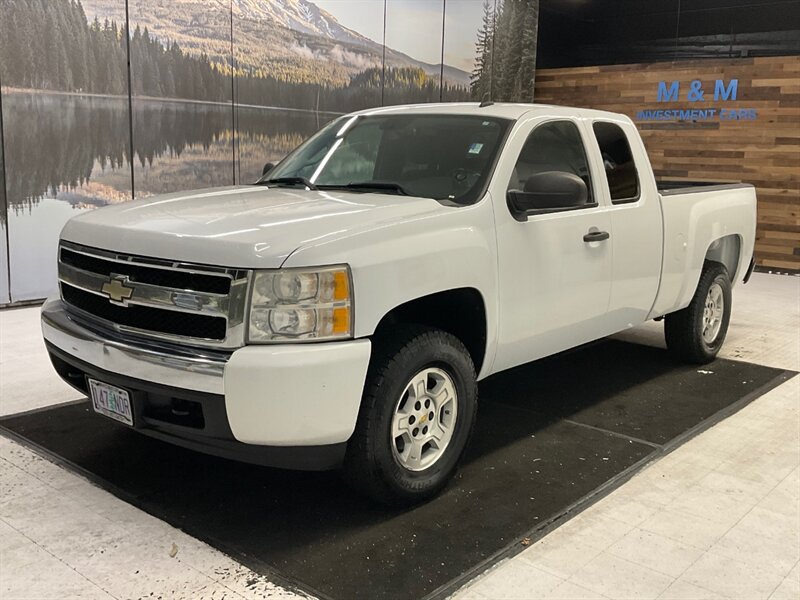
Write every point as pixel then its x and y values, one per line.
pixel 550 436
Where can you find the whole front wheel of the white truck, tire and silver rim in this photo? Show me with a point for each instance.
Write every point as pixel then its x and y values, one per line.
pixel 416 416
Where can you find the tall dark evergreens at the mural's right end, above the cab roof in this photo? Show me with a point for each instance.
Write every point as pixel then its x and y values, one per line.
pixel 505 62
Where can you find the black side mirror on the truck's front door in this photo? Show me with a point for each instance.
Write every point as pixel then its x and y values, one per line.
pixel 548 192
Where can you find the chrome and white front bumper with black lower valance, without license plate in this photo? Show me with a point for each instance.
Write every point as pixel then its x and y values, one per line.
pixel 291 406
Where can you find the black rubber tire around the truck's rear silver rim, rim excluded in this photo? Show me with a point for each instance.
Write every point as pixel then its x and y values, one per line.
pixel 684 329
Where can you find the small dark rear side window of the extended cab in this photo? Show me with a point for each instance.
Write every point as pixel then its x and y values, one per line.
pixel 623 180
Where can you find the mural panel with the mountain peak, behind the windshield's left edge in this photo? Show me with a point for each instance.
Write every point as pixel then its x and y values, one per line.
pixel 298 65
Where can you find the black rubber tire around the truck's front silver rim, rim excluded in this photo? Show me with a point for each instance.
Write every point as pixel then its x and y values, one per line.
pixel 370 464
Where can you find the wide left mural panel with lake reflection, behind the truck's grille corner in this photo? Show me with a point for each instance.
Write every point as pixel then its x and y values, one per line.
pixel 65 118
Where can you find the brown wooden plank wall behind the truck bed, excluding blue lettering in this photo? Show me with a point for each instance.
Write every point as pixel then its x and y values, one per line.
pixel 764 152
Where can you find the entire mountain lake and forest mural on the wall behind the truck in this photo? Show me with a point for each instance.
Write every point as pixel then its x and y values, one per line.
pixel 215 89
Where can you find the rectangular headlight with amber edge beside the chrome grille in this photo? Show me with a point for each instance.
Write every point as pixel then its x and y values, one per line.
pixel 301 304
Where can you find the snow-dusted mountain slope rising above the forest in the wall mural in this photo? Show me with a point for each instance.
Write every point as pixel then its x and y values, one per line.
pixel 292 40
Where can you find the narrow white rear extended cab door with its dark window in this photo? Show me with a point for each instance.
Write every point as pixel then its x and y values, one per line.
pixel 627 186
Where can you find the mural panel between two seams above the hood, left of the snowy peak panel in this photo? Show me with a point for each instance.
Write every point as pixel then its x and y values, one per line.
pixel 181 81
